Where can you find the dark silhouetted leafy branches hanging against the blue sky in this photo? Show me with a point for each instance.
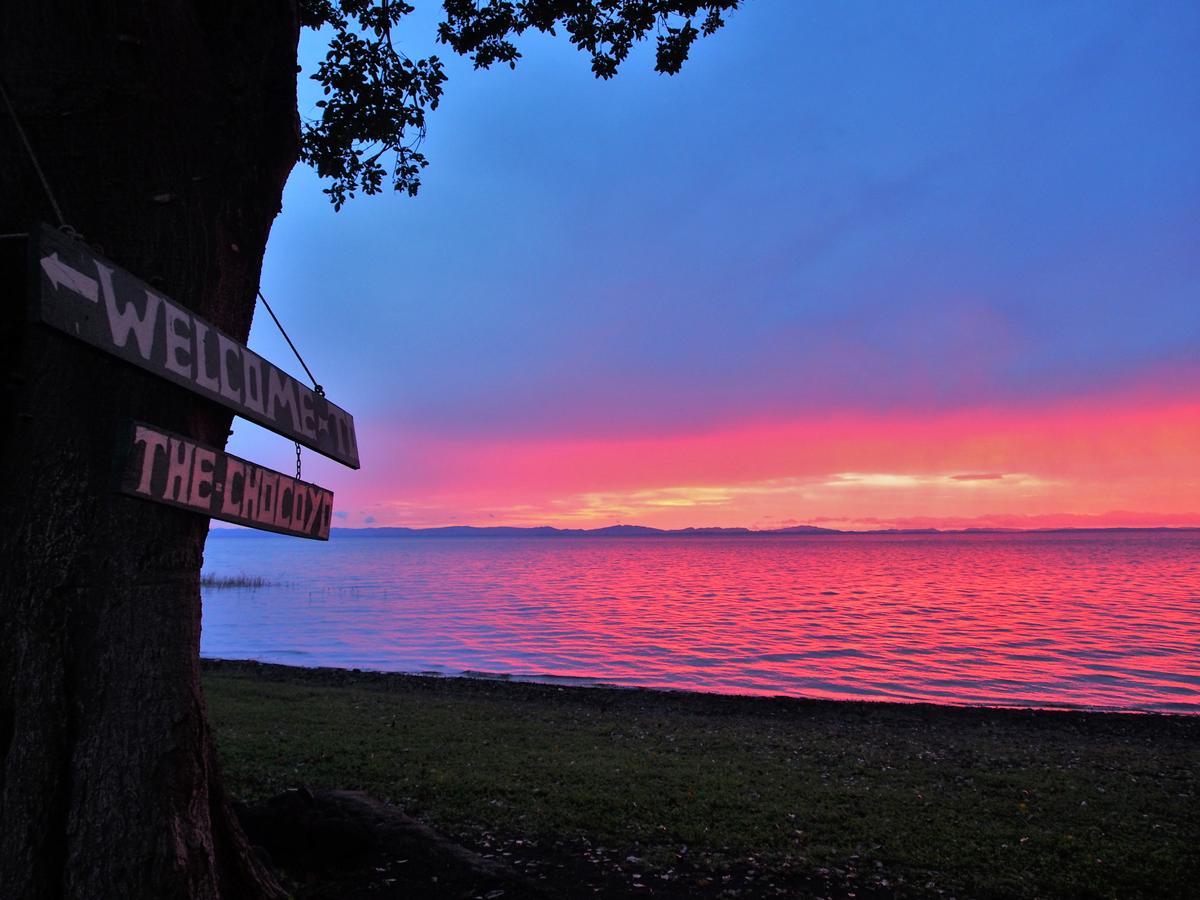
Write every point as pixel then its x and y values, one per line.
pixel 377 99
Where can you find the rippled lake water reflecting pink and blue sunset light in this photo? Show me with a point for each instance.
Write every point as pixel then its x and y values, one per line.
pixel 1100 621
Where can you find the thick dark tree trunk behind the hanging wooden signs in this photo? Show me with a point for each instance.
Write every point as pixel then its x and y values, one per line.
pixel 167 130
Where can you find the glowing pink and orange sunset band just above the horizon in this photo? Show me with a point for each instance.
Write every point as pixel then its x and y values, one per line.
pixel 1121 461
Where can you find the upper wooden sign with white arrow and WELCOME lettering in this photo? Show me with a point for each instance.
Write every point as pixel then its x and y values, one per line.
pixel 89 298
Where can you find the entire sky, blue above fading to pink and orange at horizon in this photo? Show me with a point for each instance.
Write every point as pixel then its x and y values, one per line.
pixel 859 266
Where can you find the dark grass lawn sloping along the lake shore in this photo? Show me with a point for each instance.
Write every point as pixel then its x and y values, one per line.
pixel 704 795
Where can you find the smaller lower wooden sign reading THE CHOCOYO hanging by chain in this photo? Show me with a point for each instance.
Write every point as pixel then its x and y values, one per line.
pixel 177 471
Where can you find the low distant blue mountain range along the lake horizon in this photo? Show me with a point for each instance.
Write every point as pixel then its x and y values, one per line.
pixel 647 532
